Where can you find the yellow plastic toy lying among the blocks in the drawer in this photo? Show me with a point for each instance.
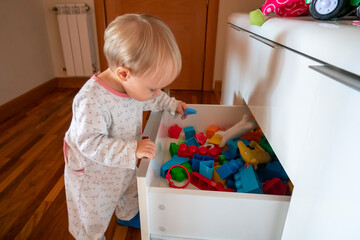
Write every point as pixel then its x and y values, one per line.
pixel 253 156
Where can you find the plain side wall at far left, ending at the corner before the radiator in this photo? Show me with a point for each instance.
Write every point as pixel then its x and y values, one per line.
pixel 25 58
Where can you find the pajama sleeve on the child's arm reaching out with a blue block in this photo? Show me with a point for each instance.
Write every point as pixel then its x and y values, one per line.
pixel 162 102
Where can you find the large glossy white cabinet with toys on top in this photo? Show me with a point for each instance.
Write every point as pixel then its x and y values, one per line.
pixel 300 79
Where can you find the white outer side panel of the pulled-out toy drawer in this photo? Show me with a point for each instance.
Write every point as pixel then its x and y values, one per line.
pixel 216 215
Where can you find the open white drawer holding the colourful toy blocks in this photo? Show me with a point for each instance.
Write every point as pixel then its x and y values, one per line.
pixel 168 213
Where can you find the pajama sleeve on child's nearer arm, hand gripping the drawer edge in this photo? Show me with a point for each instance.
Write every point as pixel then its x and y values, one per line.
pixel 92 137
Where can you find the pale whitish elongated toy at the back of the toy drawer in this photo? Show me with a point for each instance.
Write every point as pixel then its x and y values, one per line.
pixel 246 124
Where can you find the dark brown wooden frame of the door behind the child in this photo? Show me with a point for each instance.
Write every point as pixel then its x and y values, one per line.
pixel 210 39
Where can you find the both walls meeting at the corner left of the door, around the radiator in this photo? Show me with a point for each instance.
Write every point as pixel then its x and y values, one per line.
pixel 30 46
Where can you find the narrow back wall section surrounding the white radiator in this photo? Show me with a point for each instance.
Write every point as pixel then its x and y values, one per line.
pixel 54 34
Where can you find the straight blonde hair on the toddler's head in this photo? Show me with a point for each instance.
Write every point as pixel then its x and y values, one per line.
pixel 141 43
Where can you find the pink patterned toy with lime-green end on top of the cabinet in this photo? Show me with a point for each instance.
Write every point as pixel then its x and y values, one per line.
pixel 284 8
